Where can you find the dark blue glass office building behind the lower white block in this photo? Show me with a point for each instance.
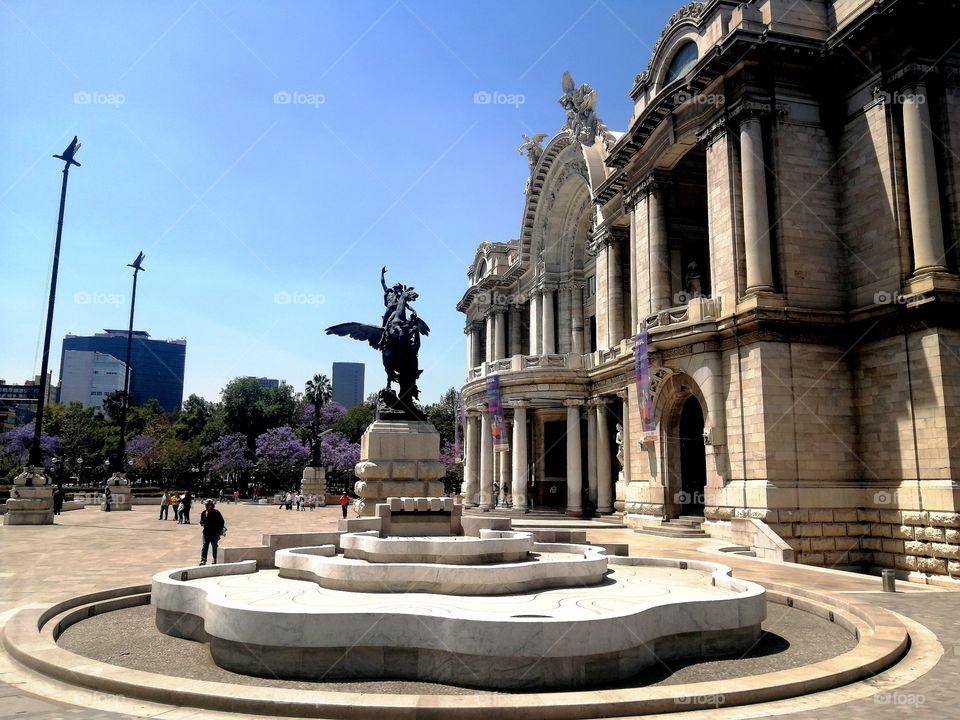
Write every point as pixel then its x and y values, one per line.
pixel 156 366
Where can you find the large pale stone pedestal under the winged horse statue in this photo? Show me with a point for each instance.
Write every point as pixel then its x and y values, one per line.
pixel 398 458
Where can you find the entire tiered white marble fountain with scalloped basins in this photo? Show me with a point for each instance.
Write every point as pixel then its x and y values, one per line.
pixel 499 610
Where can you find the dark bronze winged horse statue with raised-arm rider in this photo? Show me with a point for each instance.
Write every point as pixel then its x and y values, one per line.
pixel 398 340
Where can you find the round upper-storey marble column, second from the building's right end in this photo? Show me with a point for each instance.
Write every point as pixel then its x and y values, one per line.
pixel 756 217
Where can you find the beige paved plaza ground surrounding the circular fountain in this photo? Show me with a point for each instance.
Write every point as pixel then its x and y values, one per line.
pixel 88 550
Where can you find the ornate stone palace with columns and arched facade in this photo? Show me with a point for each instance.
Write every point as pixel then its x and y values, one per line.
pixel 781 218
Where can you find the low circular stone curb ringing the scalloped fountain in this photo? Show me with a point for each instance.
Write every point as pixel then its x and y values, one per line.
pixel 28 637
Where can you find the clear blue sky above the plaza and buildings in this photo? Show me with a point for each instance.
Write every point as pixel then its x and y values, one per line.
pixel 269 157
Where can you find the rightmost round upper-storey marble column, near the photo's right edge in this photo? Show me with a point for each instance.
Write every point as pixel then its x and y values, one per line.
pixel 923 191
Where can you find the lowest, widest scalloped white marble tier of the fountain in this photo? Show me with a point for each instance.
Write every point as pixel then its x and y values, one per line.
pixel 644 611
